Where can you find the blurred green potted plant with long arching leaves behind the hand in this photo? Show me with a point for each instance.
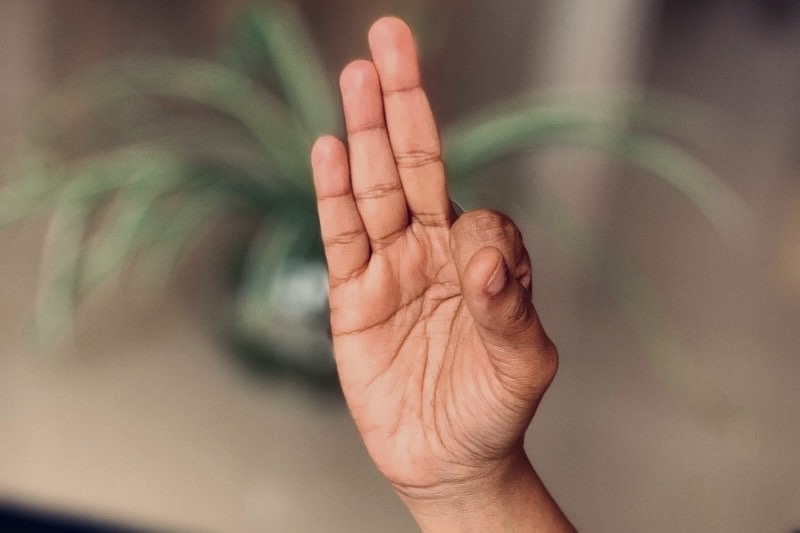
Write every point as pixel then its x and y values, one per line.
pixel 135 159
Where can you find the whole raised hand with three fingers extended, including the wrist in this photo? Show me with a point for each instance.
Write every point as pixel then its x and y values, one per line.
pixel 442 358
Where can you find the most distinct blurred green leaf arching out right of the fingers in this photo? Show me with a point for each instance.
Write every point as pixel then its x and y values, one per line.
pixel 475 143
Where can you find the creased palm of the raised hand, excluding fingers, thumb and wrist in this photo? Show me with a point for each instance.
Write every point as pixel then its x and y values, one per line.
pixel 427 394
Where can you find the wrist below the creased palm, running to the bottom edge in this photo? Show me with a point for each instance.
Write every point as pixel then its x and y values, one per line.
pixel 508 496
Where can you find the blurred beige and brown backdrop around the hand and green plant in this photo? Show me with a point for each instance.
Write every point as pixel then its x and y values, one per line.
pixel 676 406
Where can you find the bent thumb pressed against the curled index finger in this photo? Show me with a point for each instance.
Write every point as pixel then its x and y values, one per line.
pixel 506 319
